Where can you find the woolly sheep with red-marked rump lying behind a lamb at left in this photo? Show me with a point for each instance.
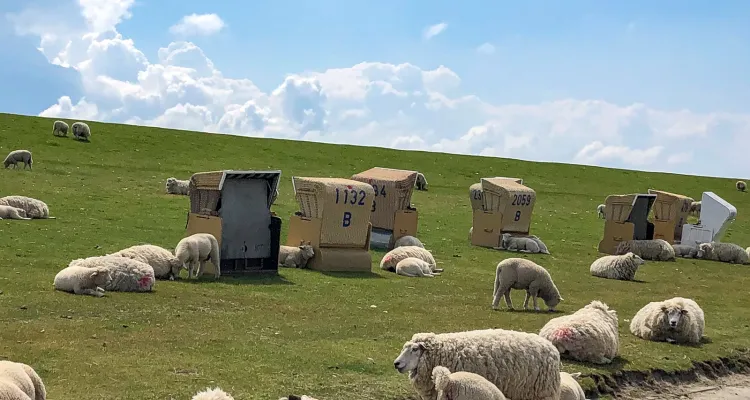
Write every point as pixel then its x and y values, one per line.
pixel 128 275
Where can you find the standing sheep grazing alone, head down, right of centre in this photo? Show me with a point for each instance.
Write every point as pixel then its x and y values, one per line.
pixel 520 273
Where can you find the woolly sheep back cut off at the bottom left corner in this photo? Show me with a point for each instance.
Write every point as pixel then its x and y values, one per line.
pixel 19 381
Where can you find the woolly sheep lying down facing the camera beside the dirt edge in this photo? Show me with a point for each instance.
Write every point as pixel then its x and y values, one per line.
pixel 676 320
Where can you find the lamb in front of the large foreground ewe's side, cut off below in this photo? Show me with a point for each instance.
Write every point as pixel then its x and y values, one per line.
pixel 463 385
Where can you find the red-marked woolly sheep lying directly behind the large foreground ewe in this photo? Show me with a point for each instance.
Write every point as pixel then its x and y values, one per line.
pixel 589 334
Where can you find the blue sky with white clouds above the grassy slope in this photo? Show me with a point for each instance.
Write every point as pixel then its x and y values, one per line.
pixel 655 86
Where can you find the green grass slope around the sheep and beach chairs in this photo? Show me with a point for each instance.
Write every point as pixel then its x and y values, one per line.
pixel 306 332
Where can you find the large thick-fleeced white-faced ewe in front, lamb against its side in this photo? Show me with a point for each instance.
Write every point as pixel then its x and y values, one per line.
pixel 524 366
